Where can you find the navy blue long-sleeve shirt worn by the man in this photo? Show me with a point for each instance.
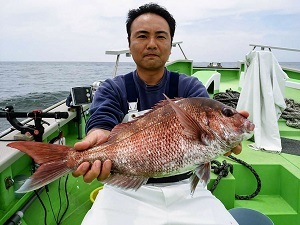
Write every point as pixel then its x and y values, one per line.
pixel 110 103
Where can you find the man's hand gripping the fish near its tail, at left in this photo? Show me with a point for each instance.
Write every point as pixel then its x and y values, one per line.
pixel 97 170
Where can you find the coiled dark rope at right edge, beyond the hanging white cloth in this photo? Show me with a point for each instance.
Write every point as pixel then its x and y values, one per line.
pixel 292 113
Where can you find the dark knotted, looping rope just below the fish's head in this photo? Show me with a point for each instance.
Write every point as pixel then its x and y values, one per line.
pixel 223 169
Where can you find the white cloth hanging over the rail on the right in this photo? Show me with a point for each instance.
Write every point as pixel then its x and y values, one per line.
pixel 262 96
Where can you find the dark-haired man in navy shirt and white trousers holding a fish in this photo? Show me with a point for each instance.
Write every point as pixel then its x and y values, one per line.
pixel 150 31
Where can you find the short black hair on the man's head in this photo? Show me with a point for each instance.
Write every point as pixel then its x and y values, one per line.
pixel 150 8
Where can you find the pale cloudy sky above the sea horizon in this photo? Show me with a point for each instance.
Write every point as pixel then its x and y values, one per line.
pixel 82 30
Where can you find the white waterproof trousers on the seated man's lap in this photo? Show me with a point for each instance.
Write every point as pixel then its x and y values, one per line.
pixel 157 204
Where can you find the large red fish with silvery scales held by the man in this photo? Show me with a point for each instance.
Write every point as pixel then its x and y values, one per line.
pixel 173 138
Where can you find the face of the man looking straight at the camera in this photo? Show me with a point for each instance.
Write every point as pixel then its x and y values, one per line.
pixel 150 41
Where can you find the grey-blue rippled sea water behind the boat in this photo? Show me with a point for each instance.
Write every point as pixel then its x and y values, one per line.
pixel 29 86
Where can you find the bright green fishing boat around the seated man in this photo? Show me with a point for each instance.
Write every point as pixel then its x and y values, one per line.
pixel 258 179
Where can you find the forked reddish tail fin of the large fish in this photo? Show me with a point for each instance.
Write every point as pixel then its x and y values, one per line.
pixel 51 159
